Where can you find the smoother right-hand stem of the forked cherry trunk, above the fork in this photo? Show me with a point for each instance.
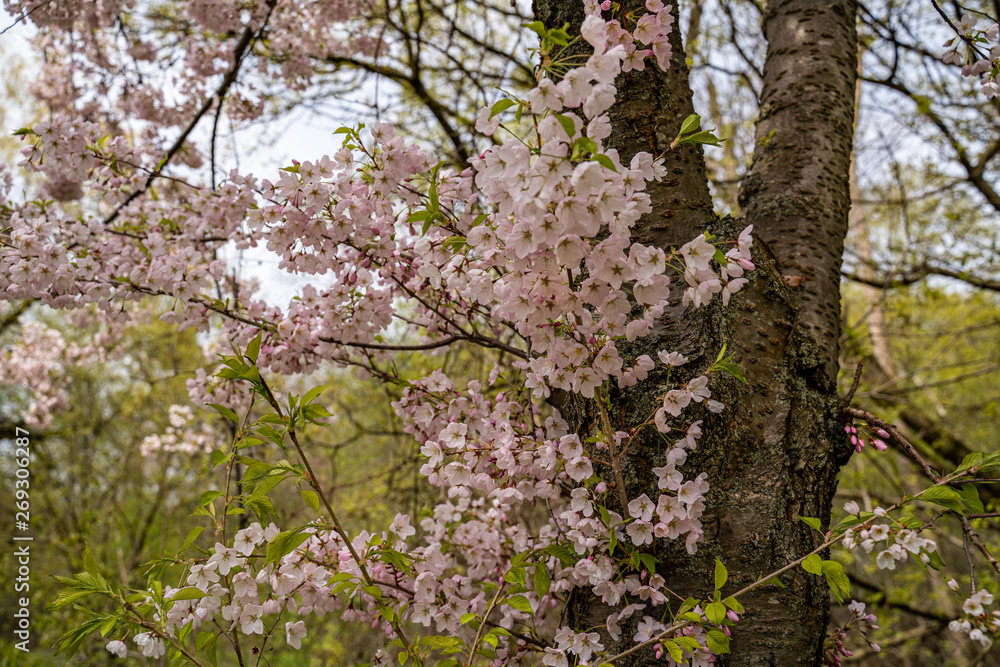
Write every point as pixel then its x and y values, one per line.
pixel 797 194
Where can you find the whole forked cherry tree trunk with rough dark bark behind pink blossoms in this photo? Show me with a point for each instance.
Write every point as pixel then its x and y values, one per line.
pixel 775 451
